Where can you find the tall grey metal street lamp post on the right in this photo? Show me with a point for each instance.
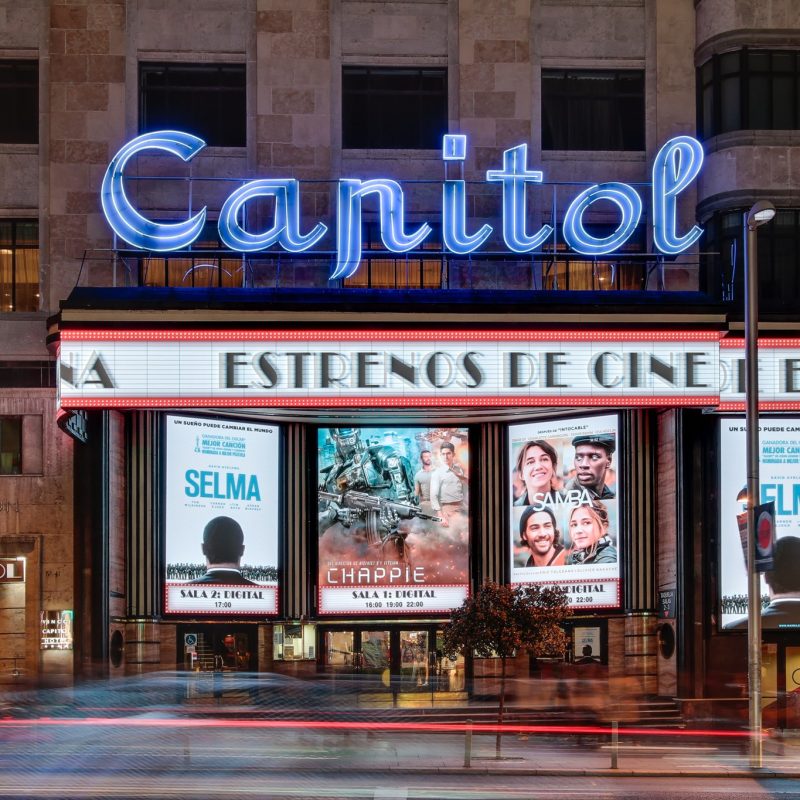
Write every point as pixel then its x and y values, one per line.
pixel 761 213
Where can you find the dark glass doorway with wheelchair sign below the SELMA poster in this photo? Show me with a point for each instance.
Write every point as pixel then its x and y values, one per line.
pixel 217 647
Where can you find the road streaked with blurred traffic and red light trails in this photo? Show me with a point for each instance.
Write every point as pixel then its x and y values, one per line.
pixel 150 756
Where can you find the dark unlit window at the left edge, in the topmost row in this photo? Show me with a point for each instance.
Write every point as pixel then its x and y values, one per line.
pixel 19 97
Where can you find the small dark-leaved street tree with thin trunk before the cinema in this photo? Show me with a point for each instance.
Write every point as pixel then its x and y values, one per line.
pixel 500 621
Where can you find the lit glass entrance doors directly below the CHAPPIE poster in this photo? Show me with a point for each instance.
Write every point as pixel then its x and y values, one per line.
pixel 407 658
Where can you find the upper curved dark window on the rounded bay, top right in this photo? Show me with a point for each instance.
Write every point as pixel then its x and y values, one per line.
pixel 749 90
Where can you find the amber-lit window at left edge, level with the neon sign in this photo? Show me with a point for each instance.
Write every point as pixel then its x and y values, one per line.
pixel 19 265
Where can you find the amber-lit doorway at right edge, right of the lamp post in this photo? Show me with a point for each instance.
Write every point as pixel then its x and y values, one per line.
pixel 780 682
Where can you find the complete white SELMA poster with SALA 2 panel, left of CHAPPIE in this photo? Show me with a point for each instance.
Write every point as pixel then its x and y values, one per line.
pixel 221 516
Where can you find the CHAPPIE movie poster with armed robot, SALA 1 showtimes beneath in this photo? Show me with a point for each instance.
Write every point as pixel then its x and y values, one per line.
pixel 394 520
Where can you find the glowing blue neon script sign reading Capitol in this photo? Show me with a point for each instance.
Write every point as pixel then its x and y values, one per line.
pixel 675 166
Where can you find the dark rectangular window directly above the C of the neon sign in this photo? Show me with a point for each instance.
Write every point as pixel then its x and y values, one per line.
pixel 207 100
